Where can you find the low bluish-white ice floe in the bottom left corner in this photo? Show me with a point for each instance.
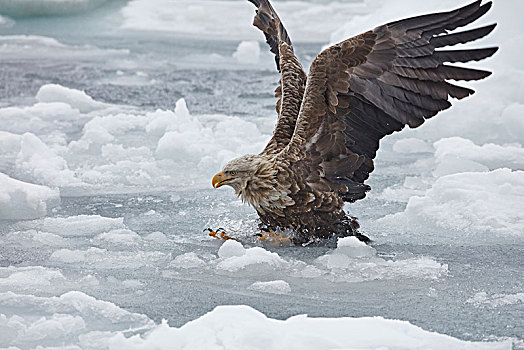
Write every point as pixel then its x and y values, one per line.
pixel 71 320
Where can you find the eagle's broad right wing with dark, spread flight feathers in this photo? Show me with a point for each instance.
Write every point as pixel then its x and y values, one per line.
pixel 367 87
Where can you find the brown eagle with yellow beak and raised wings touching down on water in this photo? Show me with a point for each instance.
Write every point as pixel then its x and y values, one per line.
pixel 330 121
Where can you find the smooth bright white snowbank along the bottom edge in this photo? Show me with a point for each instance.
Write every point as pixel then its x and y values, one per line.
pixel 242 327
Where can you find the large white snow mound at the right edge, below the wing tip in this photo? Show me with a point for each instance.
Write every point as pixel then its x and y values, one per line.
pixel 478 204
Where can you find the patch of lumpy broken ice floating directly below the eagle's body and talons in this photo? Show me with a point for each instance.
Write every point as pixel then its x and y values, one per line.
pixel 351 261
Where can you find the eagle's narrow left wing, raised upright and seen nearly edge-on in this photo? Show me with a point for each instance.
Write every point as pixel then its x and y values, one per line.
pixel 290 89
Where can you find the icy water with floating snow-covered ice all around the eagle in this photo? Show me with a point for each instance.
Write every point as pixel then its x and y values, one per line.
pixel 112 122
